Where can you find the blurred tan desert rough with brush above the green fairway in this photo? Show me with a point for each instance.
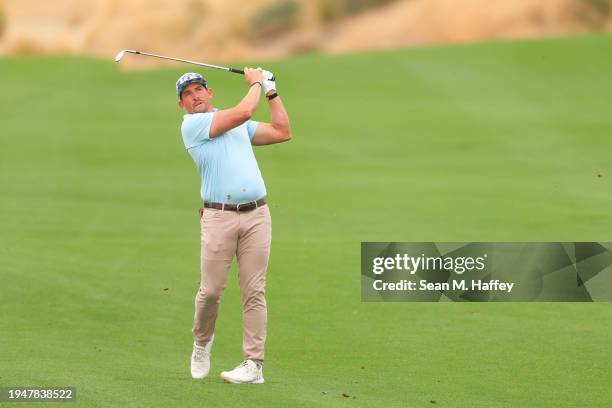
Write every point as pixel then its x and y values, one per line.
pixel 242 29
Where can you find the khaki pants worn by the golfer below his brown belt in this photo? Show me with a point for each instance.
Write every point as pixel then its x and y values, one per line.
pixel 246 235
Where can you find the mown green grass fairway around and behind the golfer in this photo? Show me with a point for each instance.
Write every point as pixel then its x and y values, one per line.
pixel 495 142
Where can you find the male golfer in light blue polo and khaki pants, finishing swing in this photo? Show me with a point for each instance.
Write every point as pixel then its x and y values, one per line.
pixel 234 220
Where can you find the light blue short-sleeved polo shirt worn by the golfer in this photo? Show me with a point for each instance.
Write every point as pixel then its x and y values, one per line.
pixel 226 163
